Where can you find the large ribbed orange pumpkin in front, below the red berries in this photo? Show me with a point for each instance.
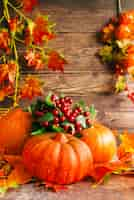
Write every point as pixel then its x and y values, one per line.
pixel 57 158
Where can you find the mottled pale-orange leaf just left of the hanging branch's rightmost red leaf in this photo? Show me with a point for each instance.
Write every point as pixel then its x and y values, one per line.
pixel 34 60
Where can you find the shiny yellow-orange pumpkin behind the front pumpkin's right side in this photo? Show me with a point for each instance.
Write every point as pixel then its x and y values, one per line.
pixel 101 141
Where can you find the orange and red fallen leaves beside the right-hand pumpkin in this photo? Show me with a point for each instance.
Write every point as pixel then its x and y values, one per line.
pixel 124 163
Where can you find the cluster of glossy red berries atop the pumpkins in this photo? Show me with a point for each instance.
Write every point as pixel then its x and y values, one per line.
pixel 64 115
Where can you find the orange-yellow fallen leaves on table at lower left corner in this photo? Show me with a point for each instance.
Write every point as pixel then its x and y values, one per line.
pixel 14 172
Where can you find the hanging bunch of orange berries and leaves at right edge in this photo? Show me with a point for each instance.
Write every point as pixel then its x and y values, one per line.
pixel 118 50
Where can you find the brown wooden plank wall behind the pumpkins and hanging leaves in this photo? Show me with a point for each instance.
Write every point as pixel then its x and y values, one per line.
pixel 85 77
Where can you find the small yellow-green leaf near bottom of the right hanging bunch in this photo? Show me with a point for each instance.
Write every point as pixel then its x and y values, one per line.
pixel 120 84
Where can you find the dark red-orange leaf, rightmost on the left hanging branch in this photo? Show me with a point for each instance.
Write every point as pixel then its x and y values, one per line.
pixel 56 61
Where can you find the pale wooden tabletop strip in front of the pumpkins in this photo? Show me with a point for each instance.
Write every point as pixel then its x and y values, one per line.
pixel 118 188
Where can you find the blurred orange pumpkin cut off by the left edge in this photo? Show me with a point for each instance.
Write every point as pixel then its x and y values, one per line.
pixel 14 130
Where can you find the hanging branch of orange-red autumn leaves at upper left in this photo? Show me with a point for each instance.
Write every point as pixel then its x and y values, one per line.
pixel 32 33
